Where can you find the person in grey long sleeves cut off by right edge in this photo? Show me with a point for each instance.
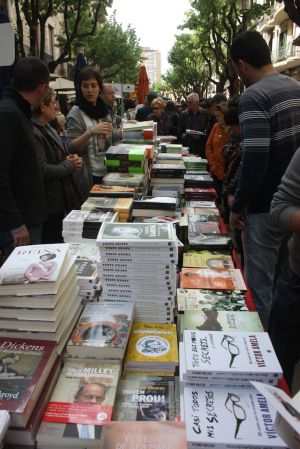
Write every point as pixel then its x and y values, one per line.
pixel 284 325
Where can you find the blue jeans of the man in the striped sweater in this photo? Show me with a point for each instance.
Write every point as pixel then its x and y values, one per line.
pixel 261 241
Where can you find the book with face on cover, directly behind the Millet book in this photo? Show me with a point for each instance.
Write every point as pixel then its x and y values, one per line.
pixel 102 331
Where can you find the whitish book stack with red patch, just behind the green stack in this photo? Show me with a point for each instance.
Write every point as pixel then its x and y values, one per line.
pixel 140 132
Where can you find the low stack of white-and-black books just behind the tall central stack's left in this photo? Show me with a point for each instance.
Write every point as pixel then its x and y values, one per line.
pixel 83 225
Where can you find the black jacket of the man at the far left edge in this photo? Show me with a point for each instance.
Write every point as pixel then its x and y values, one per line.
pixel 22 198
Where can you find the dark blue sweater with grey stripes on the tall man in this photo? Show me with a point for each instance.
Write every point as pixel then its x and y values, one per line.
pixel 270 126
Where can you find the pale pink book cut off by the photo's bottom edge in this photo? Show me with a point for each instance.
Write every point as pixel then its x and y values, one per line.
pixel 145 435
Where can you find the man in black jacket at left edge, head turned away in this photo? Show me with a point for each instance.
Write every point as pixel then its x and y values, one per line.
pixel 22 202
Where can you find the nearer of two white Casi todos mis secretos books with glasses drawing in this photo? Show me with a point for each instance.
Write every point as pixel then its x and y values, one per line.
pixel 229 418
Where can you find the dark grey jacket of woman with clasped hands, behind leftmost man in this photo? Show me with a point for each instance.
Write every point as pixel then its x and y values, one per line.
pixel 54 170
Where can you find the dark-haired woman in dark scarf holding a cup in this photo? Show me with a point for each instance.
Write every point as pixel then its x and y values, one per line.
pixel 87 128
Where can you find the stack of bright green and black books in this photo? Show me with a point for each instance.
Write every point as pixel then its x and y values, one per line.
pixel 127 158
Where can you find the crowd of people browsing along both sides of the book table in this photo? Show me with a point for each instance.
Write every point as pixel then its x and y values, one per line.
pixel 49 162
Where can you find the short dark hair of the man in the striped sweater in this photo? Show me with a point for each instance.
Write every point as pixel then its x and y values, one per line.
pixel 251 47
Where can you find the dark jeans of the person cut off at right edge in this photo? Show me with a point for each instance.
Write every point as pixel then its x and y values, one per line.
pixel 284 324
